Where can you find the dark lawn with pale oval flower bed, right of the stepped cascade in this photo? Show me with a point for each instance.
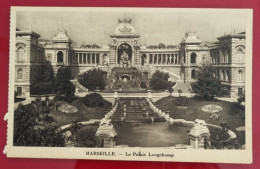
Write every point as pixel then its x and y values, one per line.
pixel 194 111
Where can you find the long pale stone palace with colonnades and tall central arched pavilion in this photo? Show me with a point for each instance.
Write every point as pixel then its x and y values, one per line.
pixel 227 55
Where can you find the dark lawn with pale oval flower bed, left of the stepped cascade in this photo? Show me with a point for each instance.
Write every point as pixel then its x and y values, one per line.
pixel 84 113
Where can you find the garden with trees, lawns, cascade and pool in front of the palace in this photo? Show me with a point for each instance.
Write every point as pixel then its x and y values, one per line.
pixel 67 112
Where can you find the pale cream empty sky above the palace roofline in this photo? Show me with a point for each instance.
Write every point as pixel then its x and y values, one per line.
pixel 168 26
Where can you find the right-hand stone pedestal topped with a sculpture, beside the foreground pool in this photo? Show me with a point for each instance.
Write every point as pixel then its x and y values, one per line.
pixel 198 134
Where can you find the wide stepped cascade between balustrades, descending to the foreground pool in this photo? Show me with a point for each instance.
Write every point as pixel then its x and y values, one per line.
pixel 135 110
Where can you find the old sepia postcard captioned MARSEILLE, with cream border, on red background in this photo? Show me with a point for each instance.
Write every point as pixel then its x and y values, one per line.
pixel 145 84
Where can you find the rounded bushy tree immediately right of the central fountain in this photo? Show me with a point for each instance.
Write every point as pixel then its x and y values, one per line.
pixel 159 81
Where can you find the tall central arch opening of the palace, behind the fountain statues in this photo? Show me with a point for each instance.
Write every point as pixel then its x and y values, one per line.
pixel 124 50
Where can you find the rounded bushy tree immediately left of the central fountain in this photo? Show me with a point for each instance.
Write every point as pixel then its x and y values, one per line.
pixel 93 80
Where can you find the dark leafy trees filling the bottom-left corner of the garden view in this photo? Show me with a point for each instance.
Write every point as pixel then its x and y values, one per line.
pixel 26 133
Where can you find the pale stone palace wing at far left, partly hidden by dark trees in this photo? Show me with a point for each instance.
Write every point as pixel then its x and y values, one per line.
pixel 29 61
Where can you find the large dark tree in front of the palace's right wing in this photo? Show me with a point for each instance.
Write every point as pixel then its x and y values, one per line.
pixel 208 86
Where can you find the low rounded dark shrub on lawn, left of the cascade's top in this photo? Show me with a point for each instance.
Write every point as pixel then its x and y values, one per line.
pixel 94 100
